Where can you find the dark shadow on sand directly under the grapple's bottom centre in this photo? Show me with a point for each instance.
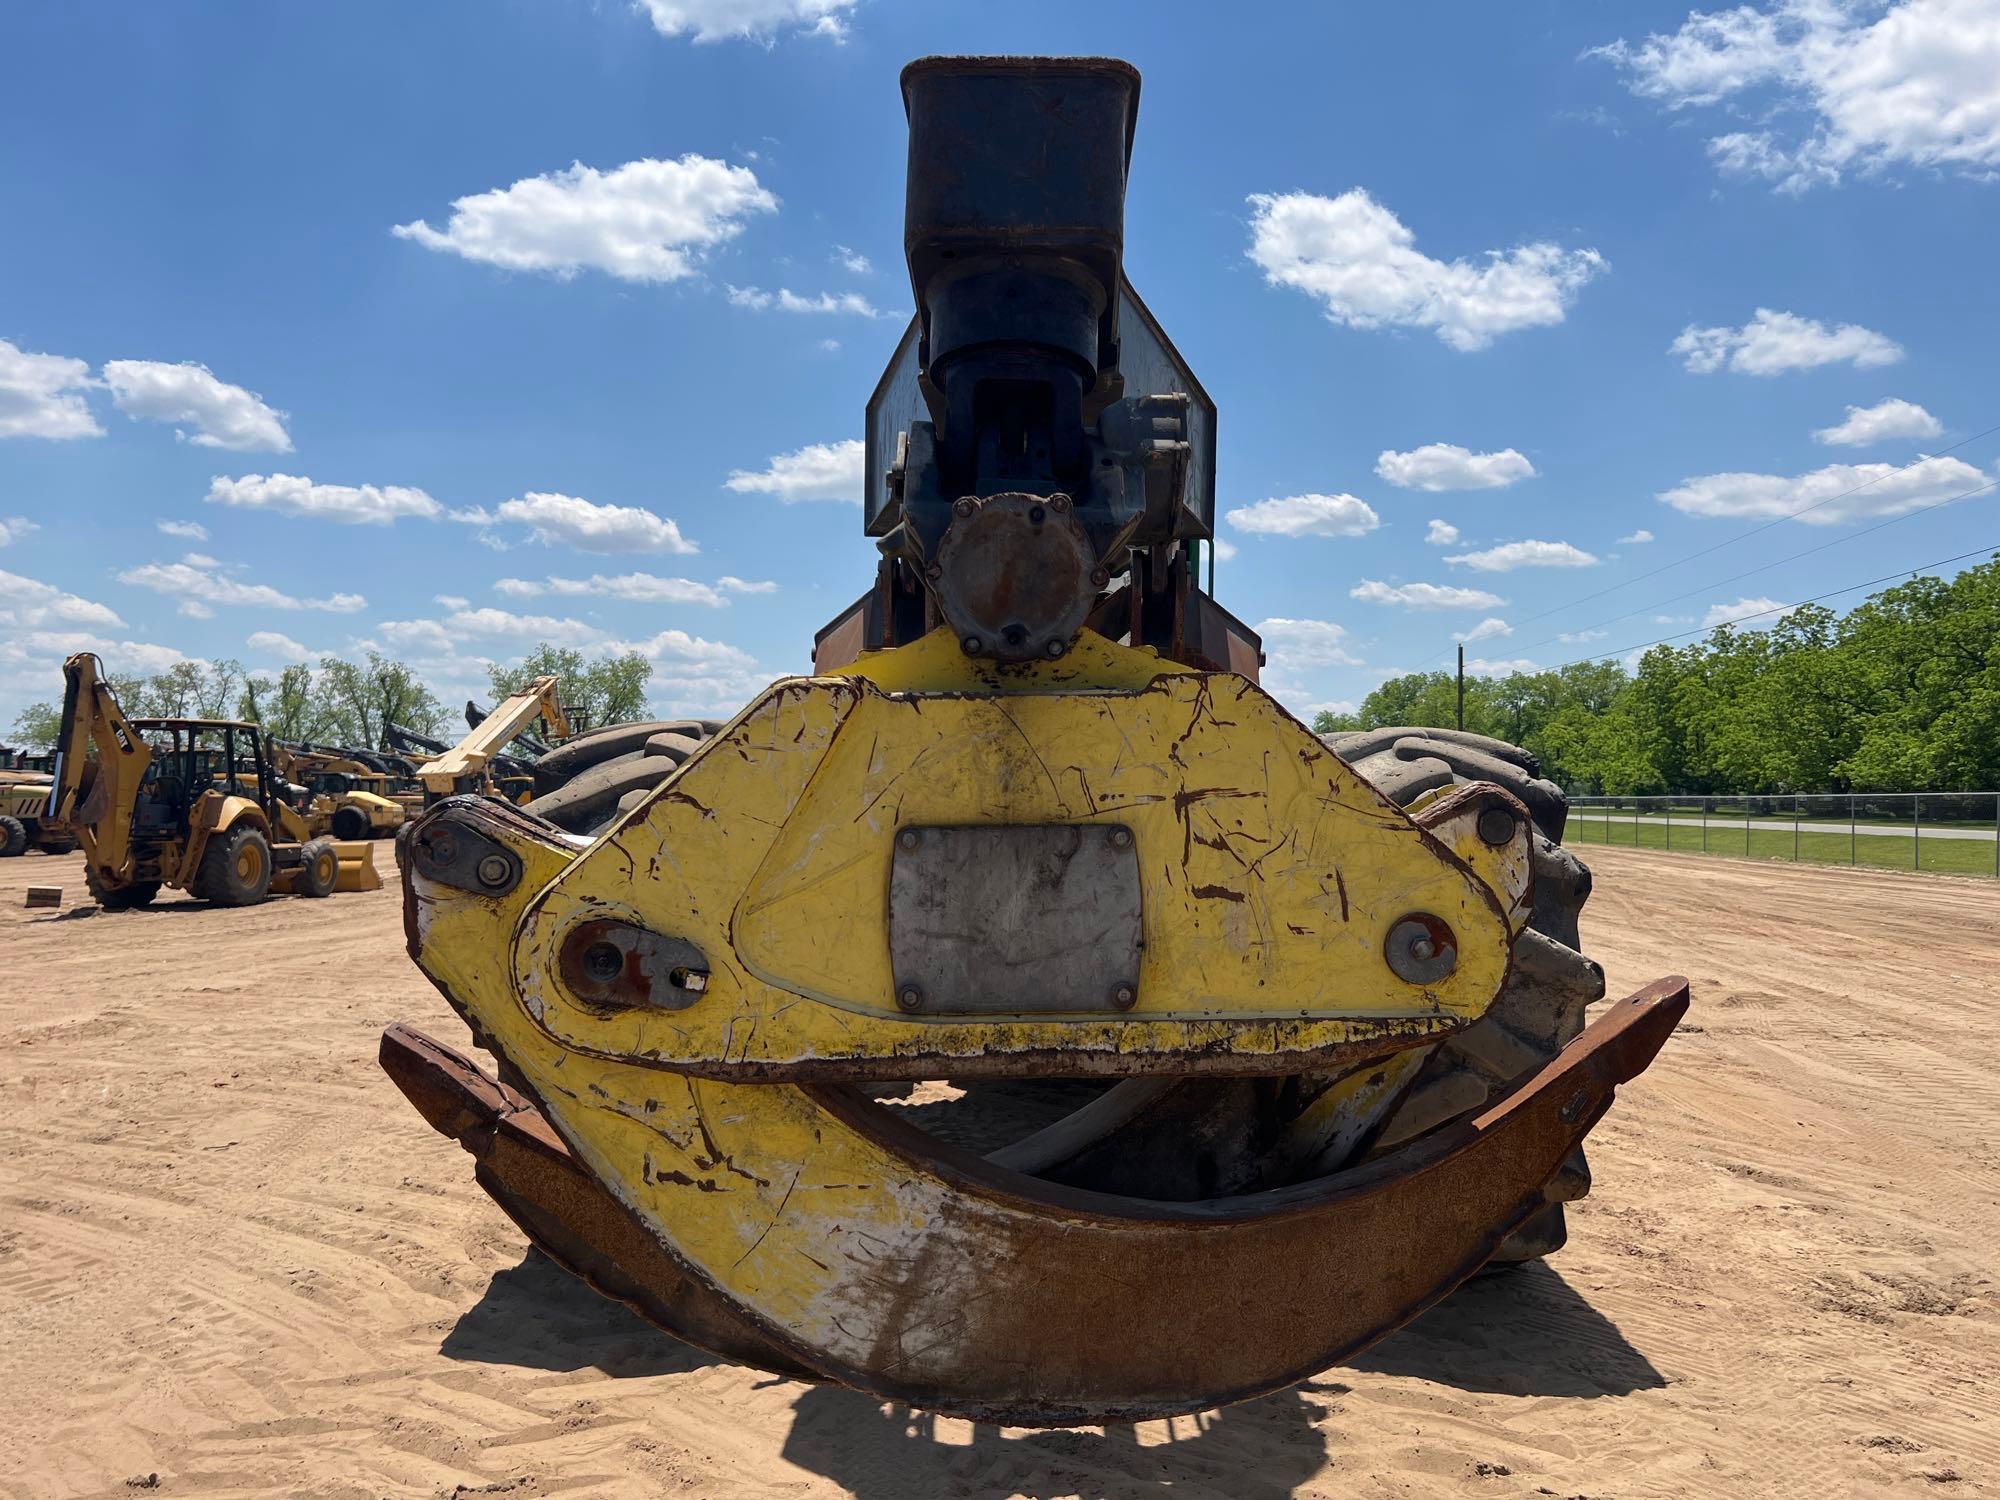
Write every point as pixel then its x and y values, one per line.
pixel 1259 1451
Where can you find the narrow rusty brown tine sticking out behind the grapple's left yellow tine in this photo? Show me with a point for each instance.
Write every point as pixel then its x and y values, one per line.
pixel 559 1205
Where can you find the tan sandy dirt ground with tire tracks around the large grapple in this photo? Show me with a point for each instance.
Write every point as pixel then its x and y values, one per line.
pixel 235 1263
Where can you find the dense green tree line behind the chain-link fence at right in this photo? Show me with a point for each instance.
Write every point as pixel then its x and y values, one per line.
pixel 1903 693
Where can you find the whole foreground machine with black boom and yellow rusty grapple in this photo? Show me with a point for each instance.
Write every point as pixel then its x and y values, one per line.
pixel 1027 1017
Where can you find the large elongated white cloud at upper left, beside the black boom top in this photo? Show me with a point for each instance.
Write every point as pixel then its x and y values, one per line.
pixel 641 223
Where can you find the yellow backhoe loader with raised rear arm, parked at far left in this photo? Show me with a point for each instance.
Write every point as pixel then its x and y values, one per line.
pixel 185 803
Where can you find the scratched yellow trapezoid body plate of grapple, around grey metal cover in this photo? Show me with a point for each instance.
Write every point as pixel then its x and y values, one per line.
pixel 1271 875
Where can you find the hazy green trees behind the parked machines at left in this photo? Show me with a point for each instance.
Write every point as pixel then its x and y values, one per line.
pixel 351 703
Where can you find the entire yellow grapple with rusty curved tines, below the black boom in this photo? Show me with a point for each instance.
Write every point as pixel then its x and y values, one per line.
pixel 689 1015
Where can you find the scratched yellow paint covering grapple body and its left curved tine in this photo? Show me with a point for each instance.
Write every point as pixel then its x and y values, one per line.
pixel 795 1217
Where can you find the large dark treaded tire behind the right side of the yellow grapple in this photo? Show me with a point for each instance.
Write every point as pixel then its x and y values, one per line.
pixel 1553 983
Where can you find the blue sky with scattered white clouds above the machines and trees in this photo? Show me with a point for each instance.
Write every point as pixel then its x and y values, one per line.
pixel 545 319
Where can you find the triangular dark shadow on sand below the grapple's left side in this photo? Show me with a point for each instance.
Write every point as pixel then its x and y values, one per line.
pixel 541 1317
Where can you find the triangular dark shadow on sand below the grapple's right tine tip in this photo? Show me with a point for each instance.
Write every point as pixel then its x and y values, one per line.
pixel 1519 1333
